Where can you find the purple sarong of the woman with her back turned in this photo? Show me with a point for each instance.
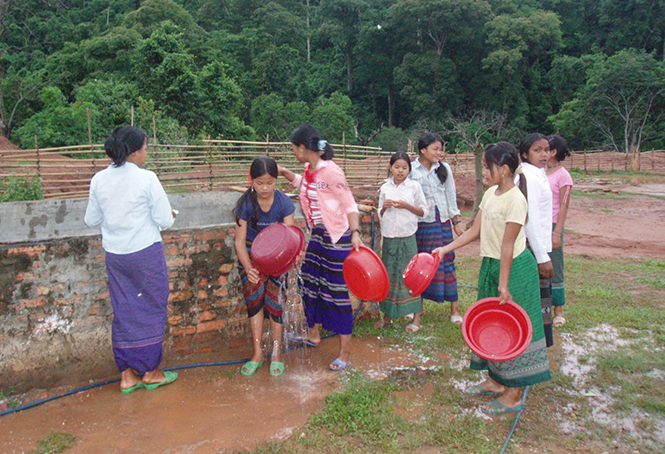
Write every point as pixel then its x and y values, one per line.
pixel 139 289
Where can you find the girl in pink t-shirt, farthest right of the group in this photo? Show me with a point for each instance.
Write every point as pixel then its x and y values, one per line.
pixel 561 184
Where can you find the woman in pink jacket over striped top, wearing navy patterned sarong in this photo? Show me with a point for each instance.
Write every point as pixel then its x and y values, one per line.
pixel 332 215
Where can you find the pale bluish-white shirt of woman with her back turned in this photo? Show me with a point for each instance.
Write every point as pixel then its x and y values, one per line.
pixel 130 206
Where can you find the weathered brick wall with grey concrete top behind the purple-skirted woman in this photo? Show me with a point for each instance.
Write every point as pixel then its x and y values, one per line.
pixel 55 312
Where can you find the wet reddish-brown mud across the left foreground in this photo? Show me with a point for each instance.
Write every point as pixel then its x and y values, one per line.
pixel 206 410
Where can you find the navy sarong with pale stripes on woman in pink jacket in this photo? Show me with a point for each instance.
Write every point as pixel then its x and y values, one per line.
pixel 325 294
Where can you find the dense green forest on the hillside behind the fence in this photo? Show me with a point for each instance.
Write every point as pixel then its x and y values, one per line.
pixel 371 72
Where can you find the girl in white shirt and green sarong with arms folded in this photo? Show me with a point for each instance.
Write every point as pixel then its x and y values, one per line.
pixel 401 204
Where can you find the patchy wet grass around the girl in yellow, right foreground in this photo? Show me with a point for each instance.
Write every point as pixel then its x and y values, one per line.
pixel 364 415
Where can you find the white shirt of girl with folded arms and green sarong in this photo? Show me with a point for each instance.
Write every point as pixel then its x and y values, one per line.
pixel 400 222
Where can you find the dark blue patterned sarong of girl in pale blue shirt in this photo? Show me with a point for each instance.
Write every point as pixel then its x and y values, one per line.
pixel 431 235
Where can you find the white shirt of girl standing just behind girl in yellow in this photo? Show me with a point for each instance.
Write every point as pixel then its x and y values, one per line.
pixel 538 228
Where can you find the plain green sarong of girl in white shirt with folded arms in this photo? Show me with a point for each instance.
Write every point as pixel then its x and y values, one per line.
pixel 396 254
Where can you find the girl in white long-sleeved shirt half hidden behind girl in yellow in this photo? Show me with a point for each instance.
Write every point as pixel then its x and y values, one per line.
pixel 534 152
